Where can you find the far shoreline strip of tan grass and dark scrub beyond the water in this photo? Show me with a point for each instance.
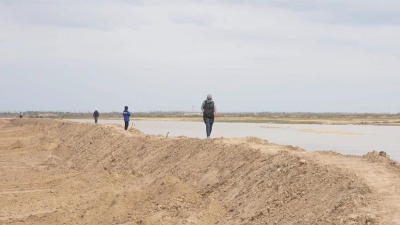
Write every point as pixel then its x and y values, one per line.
pixel 266 118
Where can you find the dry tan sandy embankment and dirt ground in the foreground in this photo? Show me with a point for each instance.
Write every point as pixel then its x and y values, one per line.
pixel 58 172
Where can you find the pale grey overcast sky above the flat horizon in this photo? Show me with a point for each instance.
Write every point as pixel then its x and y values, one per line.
pixel 253 55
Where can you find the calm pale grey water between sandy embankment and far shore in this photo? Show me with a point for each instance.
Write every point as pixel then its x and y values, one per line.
pixel 346 139
